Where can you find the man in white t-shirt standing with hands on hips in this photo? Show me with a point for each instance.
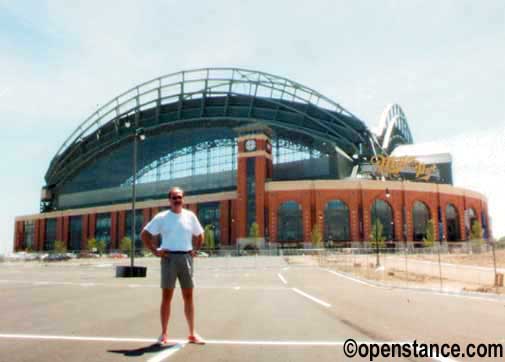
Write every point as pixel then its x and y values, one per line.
pixel 178 227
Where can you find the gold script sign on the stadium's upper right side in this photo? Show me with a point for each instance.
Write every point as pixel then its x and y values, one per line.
pixel 392 166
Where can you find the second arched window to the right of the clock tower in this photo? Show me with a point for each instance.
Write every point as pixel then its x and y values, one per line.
pixel 336 221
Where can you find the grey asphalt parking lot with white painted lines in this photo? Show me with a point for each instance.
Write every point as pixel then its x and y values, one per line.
pixel 247 309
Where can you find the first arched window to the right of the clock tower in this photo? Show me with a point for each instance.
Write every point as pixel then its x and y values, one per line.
pixel 289 224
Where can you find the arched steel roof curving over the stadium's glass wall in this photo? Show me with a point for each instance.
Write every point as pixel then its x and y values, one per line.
pixel 212 97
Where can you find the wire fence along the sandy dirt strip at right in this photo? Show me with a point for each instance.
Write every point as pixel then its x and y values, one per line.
pixel 432 268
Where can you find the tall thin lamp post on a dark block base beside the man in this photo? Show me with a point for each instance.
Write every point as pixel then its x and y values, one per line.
pixel 132 270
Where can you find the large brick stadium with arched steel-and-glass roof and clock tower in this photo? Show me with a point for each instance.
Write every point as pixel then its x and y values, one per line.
pixel 260 158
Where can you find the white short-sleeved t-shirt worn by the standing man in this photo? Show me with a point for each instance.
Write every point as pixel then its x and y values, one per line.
pixel 176 230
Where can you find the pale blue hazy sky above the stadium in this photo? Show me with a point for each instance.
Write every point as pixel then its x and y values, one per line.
pixel 442 61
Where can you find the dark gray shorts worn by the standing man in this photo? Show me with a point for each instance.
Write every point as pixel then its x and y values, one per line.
pixel 177 266
